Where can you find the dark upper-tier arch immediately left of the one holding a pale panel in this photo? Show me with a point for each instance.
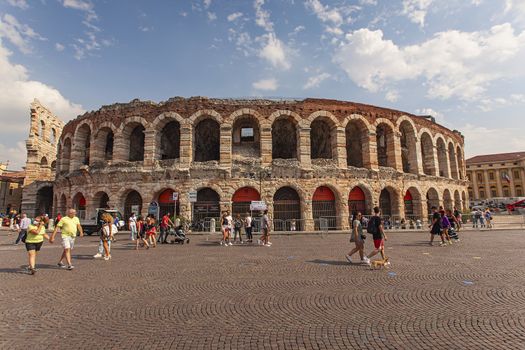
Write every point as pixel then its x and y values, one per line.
pixel 206 139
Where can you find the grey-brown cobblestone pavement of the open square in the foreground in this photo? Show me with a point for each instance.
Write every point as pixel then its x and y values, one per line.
pixel 298 294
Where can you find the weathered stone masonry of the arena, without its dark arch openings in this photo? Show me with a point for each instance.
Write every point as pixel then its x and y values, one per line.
pixel 256 167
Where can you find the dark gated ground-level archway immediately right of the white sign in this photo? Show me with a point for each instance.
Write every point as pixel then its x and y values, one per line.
pixel 287 210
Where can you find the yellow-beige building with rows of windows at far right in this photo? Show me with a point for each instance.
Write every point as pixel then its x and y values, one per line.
pixel 496 176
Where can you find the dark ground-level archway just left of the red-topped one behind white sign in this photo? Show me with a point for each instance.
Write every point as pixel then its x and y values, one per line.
pixel 205 208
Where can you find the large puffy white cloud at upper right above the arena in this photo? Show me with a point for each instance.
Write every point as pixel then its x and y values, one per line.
pixel 452 63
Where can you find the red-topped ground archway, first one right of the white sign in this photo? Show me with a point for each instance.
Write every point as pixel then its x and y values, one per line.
pixel 323 206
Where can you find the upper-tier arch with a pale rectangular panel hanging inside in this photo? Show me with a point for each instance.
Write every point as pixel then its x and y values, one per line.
pixel 246 134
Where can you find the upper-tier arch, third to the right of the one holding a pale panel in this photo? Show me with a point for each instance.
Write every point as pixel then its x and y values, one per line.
pixel 357 139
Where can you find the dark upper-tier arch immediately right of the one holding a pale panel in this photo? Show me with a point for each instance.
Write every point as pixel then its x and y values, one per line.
pixel 285 136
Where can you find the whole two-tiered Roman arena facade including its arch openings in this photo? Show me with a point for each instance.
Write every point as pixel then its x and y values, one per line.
pixel 307 159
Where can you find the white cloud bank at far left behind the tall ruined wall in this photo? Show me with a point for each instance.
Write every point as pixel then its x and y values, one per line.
pixel 17 91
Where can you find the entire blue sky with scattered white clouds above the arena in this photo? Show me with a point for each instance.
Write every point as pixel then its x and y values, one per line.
pixel 461 61
